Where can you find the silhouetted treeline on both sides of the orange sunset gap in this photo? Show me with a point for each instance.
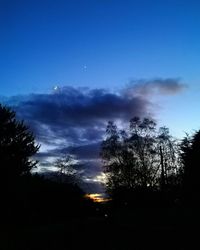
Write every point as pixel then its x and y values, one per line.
pixel 144 166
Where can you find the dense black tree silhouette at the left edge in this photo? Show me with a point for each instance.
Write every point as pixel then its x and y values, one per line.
pixel 17 146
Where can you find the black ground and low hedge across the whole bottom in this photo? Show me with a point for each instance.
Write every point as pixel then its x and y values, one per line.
pixel 37 216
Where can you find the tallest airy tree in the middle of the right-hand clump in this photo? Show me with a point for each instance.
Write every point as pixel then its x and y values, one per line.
pixel 142 144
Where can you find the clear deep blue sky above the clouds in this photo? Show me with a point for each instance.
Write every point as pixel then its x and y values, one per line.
pixel 47 43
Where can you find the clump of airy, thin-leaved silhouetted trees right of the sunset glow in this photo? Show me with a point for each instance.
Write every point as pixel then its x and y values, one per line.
pixel 141 157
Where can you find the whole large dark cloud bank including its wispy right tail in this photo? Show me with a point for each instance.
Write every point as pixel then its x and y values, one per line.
pixel 73 120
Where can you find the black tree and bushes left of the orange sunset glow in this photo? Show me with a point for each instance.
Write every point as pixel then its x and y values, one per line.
pixel 27 197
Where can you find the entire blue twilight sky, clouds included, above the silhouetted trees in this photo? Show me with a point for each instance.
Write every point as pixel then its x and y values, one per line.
pixel 67 67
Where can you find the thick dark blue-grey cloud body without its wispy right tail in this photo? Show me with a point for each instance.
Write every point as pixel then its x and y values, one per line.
pixel 76 114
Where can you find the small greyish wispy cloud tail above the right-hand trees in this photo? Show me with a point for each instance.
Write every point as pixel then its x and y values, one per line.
pixel 168 86
